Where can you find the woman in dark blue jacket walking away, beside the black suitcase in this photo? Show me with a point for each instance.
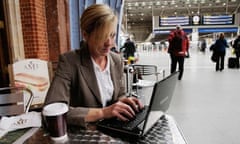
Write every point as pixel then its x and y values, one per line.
pixel 220 49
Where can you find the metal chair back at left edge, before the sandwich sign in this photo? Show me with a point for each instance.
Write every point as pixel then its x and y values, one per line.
pixel 12 100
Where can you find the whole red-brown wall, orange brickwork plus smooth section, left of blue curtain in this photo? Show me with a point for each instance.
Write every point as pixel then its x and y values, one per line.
pixel 45 26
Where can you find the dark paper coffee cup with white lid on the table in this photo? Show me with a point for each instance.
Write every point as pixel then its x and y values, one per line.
pixel 55 120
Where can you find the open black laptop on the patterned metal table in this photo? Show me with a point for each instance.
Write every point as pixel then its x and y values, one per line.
pixel 160 100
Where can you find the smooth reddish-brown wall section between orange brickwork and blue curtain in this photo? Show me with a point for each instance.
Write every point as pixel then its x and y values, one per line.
pixel 58 28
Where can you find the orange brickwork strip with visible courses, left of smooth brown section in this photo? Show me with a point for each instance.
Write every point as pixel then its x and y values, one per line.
pixel 34 29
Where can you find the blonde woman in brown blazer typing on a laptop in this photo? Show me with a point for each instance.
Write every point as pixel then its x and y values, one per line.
pixel 90 79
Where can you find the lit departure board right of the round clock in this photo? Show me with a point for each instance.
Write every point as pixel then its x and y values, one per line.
pixel 218 20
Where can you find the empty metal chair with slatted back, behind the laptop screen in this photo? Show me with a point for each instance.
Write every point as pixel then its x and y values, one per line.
pixel 145 76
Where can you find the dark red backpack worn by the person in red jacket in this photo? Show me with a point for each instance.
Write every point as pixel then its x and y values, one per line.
pixel 177 41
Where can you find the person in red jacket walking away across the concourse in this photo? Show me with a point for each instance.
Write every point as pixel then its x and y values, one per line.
pixel 178 49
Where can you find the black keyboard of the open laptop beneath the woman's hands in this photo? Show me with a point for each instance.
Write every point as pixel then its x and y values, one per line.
pixel 129 125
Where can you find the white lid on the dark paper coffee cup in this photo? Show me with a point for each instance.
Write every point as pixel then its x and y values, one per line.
pixel 55 109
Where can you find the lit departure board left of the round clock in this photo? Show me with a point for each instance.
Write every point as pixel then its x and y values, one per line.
pixel 173 21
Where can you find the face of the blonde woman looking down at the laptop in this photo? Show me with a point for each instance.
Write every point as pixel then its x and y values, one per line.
pixel 100 47
